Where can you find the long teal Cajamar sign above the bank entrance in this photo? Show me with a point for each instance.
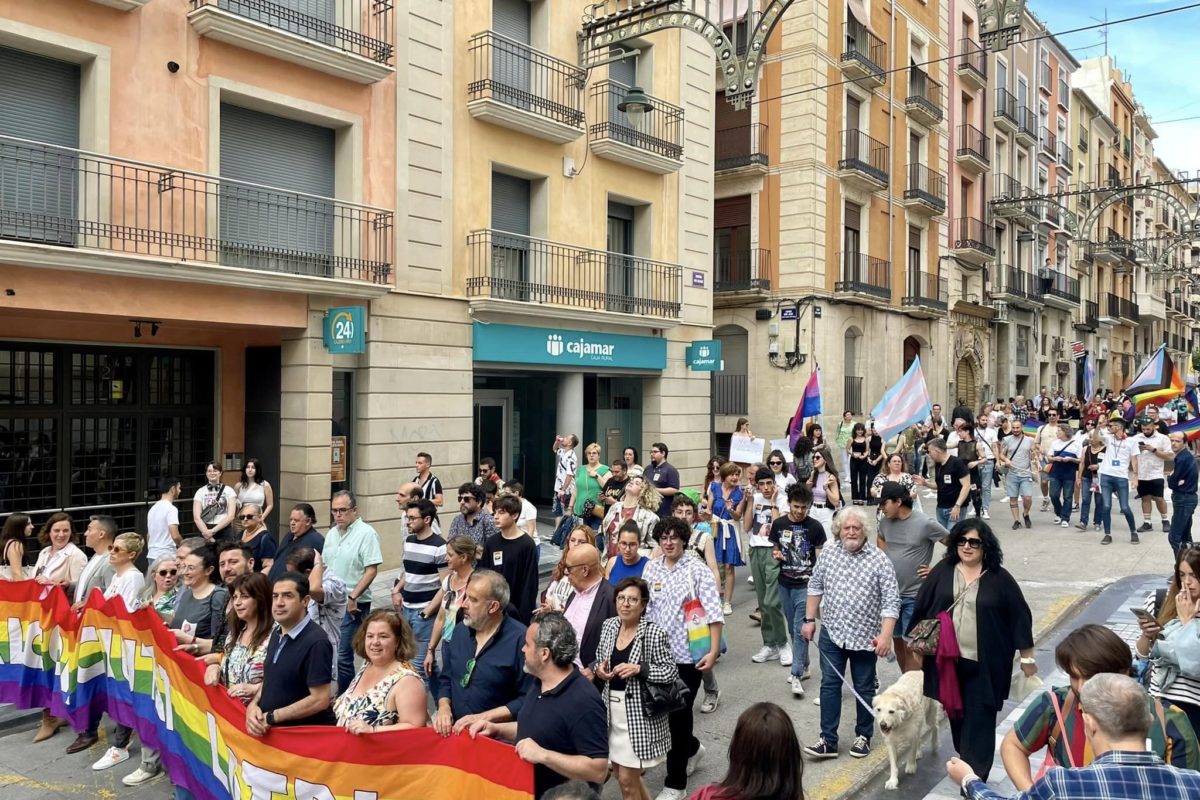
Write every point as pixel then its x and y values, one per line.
pixel 567 348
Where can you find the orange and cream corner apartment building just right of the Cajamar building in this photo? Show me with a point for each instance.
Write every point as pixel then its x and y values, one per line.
pixel 830 219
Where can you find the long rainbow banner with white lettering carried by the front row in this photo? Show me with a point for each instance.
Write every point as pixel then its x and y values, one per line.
pixel 125 664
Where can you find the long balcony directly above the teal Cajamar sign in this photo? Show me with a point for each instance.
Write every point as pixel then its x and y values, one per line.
pixel 512 274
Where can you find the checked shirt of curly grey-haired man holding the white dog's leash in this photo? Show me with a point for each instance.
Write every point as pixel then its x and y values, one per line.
pixel 856 590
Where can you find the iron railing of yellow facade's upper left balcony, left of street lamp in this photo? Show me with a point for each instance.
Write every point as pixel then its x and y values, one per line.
pixel 519 76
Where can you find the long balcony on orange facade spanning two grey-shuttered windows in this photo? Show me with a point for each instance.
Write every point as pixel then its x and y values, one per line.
pixel 77 210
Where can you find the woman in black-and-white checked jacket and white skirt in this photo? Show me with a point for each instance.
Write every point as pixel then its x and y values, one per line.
pixel 634 652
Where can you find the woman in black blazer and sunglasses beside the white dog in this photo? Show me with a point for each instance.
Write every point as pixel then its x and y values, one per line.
pixel 992 623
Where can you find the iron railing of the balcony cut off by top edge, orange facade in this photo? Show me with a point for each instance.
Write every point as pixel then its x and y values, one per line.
pixel 359 27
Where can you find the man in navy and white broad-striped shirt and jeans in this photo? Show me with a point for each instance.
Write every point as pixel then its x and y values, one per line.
pixel 417 591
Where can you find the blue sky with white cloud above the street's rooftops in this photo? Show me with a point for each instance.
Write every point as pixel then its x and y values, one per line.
pixel 1161 57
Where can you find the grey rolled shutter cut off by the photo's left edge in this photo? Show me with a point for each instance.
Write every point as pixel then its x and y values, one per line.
pixel 40 104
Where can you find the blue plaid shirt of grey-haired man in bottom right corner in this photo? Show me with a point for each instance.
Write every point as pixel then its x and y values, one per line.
pixel 1117 775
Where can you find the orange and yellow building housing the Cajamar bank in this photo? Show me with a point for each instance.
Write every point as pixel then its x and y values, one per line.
pixel 337 237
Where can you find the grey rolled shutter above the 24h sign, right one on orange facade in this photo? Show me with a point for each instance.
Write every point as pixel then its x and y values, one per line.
pixel 278 179
